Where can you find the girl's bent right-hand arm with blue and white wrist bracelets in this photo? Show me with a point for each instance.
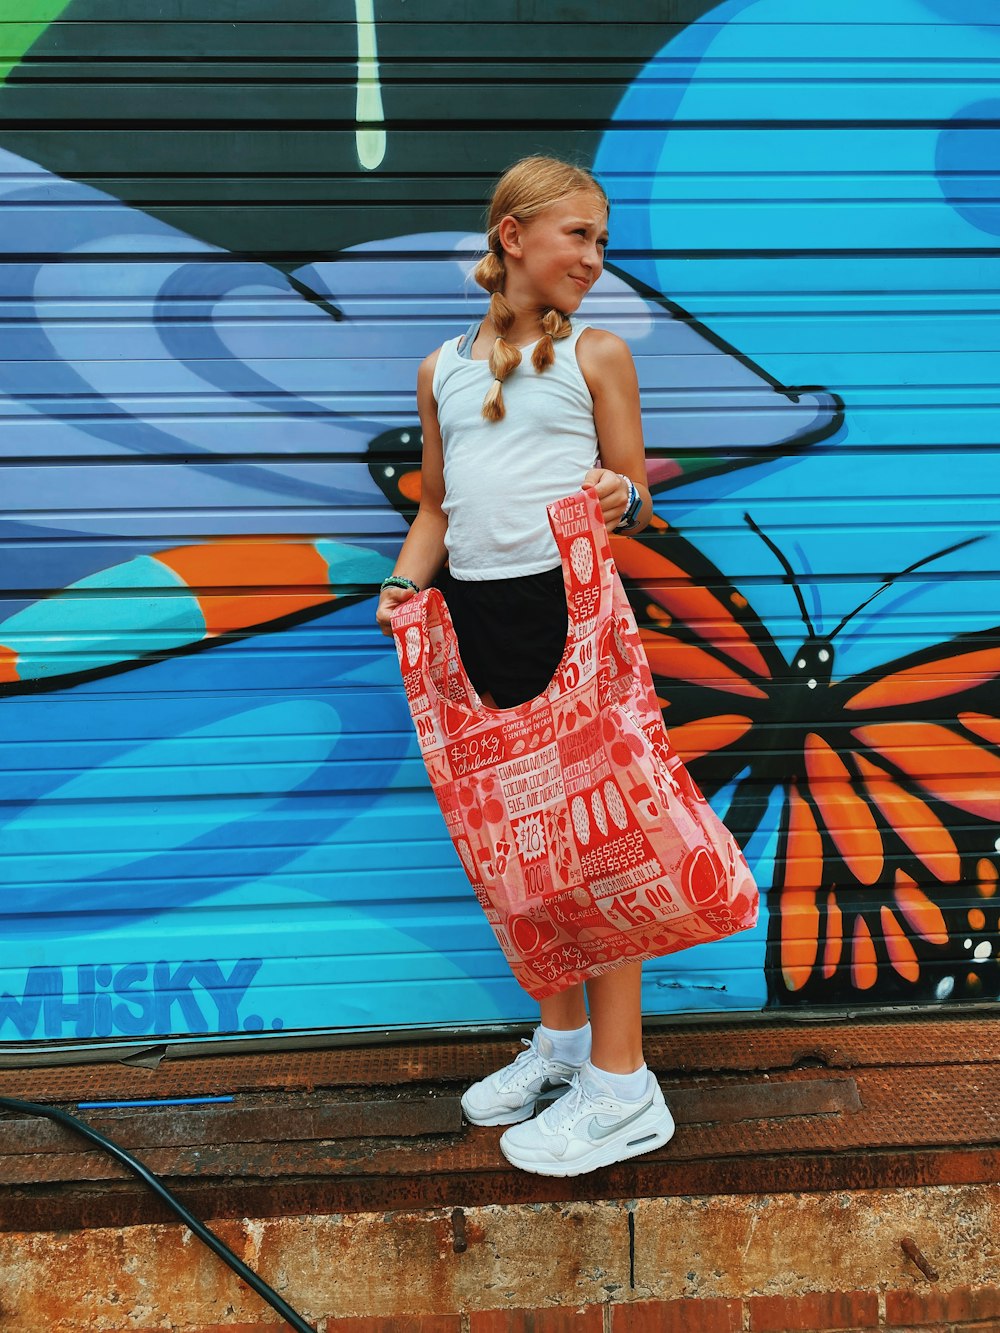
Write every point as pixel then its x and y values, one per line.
pixel 610 371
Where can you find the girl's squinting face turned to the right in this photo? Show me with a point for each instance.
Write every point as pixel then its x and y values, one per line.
pixel 555 259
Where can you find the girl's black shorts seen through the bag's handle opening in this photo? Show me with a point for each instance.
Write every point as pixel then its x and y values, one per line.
pixel 511 631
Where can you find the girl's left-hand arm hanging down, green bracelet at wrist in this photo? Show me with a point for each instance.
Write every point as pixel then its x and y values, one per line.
pixel 423 553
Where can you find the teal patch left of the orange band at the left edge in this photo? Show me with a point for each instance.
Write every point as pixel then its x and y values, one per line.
pixel 71 634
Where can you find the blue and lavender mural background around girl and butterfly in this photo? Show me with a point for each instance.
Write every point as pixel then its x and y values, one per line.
pixel 233 832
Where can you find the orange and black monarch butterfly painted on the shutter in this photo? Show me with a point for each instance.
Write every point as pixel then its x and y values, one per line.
pixel 889 780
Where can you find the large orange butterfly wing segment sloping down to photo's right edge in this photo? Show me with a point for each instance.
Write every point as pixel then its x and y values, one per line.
pixel 946 764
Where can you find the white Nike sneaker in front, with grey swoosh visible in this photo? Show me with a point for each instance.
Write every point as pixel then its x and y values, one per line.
pixel 590 1128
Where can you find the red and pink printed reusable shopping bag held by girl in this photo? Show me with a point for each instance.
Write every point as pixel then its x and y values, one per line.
pixel 586 840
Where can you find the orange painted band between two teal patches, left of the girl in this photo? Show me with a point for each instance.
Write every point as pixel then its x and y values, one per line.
pixel 243 583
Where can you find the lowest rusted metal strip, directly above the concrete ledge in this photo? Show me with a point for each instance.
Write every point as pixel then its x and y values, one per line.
pixel 79 1207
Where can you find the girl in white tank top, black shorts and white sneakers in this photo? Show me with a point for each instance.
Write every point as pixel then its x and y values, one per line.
pixel 525 409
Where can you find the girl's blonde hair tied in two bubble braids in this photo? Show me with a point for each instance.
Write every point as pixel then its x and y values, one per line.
pixel 525 191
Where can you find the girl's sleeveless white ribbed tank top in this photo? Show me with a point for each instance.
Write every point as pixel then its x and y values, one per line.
pixel 501 475
